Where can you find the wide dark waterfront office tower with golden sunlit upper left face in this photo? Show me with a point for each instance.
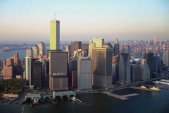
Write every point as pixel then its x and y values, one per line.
pixel 102 67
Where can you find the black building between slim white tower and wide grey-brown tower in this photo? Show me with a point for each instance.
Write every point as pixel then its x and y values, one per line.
pixel 38 73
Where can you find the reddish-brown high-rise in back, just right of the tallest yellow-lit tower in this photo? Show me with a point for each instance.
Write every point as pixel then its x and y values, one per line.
pixel 75 46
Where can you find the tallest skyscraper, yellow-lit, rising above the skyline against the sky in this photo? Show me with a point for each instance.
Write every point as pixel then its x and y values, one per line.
pixel 54 35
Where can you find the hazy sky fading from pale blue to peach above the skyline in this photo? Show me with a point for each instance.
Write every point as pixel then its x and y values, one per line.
pixel 83 19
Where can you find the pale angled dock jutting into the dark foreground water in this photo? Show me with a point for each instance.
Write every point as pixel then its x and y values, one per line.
pixel 122 97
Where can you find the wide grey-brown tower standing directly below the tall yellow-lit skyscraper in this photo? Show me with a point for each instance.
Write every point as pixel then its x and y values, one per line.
pixel 58 70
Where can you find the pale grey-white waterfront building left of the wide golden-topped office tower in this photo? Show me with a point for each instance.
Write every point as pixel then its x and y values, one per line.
pixel 84 76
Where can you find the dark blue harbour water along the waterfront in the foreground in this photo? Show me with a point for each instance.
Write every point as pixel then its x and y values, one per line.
pixel 145 102
